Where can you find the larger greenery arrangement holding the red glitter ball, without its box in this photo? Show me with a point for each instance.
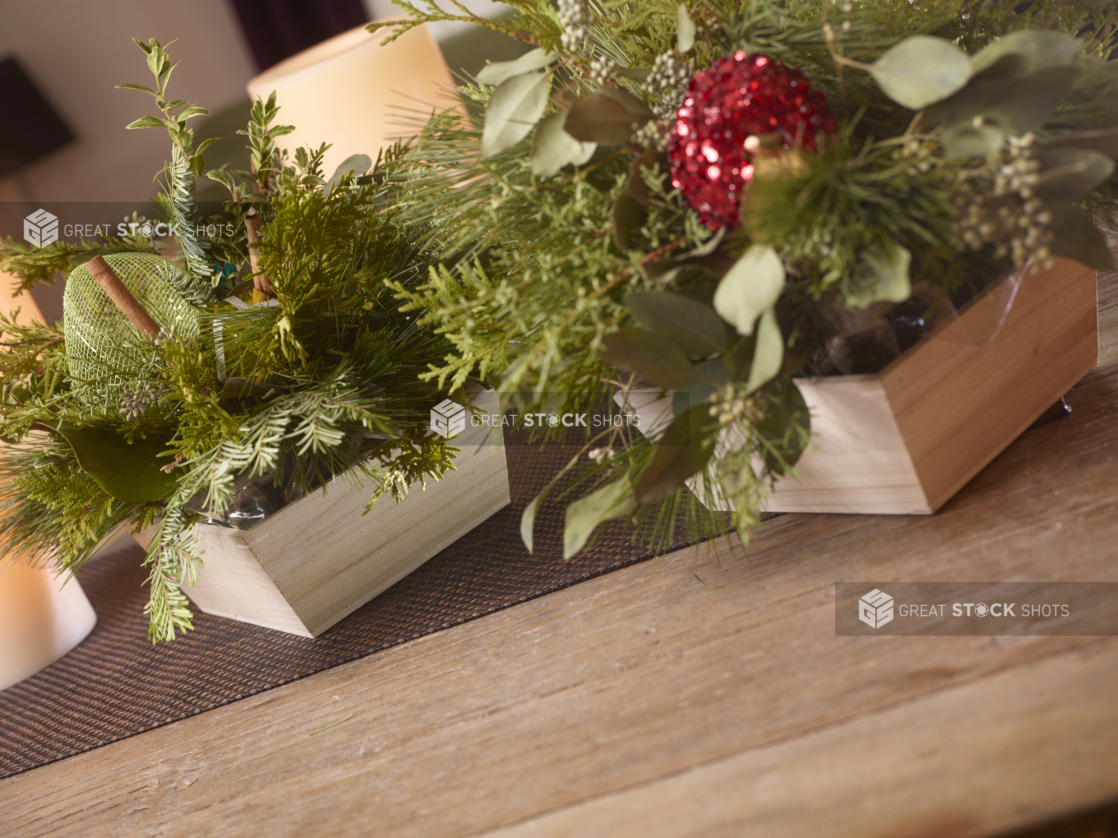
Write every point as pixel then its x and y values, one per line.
pixel 714 198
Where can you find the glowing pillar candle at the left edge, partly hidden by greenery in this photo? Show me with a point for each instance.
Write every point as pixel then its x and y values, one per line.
pixel 41 618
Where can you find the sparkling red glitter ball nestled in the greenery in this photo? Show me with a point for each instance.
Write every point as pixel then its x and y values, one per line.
pixel 738 98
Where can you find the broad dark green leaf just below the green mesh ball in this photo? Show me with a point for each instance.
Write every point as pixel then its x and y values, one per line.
pixel 127 472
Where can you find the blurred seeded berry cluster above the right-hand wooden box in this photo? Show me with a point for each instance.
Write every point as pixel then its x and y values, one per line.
pixel 996 205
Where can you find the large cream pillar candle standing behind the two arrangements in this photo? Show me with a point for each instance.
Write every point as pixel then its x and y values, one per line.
pixel 356 94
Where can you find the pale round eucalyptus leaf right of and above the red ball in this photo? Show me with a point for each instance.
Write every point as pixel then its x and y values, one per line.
pixel 921 71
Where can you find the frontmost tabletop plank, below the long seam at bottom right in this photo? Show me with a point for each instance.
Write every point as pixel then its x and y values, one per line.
pixel 869 778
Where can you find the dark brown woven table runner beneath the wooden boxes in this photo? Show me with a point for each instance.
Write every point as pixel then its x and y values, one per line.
pixel 116 684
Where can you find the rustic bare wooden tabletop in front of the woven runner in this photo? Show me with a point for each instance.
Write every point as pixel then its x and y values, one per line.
pixel 703 693
